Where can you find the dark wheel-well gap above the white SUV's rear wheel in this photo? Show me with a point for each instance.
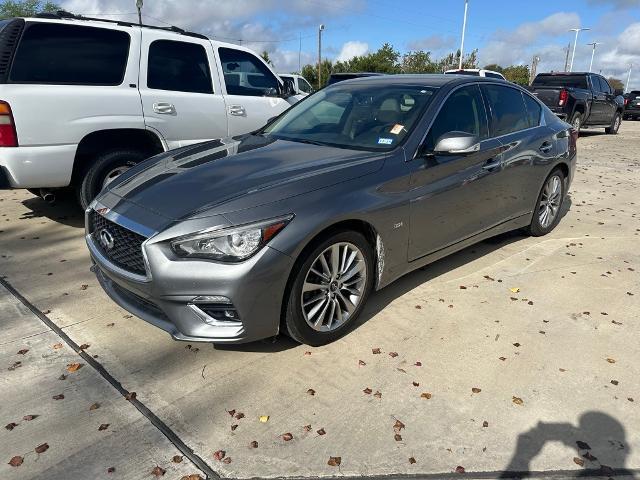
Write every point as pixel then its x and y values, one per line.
pixel 102 141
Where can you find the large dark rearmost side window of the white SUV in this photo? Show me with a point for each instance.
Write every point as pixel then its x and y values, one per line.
pixel 69 54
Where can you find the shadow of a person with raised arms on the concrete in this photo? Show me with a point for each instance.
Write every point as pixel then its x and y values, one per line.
pixel 599 441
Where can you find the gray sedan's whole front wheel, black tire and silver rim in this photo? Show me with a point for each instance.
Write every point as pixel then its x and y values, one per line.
pixel 331 285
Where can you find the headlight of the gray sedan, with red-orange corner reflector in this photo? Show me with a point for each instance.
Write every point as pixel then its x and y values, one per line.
pixel 232 244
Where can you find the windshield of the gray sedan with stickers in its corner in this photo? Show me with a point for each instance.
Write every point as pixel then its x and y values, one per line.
pixel 355 116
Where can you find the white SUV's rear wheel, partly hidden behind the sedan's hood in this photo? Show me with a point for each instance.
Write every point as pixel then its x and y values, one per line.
pixel 105 168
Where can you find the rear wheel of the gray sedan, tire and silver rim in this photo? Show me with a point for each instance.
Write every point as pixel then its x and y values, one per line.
pixel 549 205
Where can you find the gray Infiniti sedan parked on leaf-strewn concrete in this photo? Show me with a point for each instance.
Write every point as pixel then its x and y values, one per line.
pixel 290 228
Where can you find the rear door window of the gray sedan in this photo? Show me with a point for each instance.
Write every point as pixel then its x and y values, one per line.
pixel 508 113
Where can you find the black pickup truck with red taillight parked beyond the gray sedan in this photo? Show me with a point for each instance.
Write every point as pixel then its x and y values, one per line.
pixel 581 99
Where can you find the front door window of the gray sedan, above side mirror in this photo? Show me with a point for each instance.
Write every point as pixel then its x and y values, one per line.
pixel 463 111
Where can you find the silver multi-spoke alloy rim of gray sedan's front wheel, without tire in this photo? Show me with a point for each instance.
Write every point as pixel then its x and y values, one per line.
pixel 334 286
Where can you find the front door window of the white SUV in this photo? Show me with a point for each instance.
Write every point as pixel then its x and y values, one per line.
pixel 244 74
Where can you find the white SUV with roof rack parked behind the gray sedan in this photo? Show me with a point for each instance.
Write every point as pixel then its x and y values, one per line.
pixel 82 100
